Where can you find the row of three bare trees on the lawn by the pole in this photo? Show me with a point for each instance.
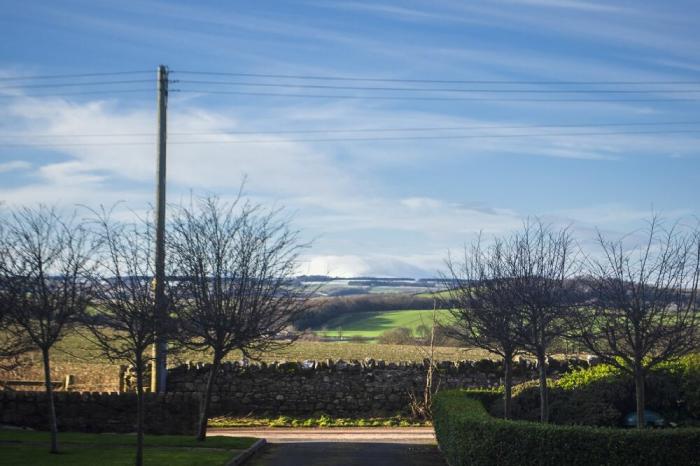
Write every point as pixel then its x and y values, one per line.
pixel 229 286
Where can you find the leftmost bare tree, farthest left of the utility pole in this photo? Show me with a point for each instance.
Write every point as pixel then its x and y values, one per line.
pixel 45 257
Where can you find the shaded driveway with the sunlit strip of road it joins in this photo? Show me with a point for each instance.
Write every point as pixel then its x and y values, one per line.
pixel 343 447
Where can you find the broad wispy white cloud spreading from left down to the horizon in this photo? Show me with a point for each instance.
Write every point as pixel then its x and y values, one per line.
pixel 337 190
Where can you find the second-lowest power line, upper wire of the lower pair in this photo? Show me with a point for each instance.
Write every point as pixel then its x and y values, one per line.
pixel 364 130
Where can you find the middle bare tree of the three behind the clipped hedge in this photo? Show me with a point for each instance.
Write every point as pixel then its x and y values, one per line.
pixel 539 262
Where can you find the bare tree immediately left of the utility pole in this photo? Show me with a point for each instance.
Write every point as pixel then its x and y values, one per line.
pixel 123 323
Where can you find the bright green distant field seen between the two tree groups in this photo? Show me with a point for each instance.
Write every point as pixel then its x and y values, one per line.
pixel 373 324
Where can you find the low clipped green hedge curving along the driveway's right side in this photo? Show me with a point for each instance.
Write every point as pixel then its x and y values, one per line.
pixel 468 435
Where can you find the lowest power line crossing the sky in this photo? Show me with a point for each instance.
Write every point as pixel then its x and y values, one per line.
pixel 364 139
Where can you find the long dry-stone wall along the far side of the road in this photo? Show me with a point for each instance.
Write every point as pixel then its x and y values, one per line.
pixel 336 388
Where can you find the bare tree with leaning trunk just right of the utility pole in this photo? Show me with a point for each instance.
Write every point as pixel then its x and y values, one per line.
pixel 236 264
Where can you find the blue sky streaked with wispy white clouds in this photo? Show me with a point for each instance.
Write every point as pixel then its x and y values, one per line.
pixel 508 107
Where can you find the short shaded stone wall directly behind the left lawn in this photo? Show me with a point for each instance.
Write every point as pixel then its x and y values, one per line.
pixel 100 412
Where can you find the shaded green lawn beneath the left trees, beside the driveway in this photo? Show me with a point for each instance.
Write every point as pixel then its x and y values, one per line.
pixel 19 447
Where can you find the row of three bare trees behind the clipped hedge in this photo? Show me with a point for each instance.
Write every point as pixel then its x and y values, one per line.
pixel 632 305
